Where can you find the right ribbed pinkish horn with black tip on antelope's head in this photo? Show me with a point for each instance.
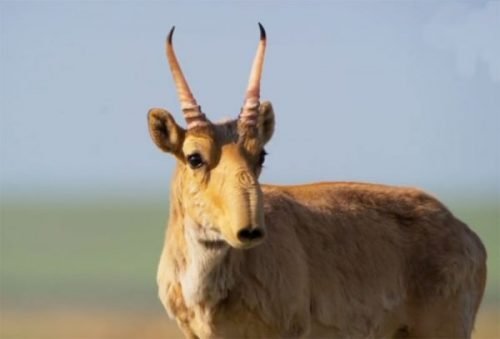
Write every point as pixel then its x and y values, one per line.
pixel 249 111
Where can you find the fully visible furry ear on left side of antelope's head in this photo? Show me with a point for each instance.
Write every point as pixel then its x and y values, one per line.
pixel 164 131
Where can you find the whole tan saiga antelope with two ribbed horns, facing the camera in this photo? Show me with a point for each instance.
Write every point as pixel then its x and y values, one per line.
pixel 340 259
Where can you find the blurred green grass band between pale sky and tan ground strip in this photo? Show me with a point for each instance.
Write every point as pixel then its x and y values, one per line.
pixel 103 254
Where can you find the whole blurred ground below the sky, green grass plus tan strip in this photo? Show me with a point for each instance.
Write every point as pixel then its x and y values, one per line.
pixel 87 270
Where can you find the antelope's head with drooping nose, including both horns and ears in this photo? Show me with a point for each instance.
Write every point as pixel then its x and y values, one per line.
pixel 215 185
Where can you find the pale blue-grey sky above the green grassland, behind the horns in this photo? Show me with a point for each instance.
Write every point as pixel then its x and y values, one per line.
pixel 395 92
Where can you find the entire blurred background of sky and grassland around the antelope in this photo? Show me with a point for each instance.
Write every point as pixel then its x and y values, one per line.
pixel 402 93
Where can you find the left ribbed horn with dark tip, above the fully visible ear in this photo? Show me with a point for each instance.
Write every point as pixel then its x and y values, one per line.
pixel 192 111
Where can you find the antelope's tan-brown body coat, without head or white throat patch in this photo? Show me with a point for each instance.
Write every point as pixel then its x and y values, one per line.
pixel 341 260
